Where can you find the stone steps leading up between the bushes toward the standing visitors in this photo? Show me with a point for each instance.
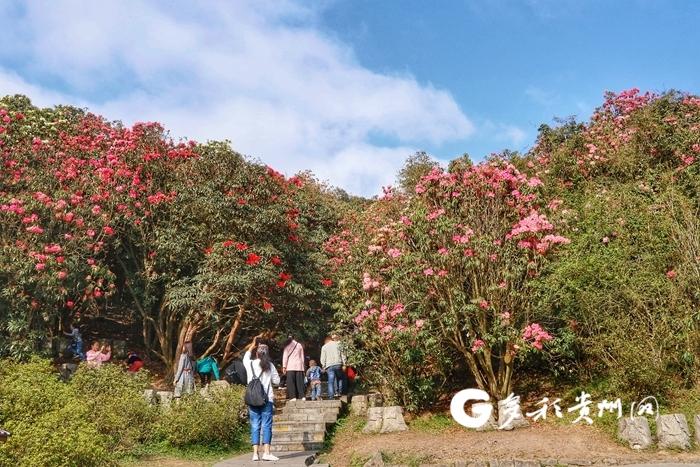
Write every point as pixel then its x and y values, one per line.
pixel 301 425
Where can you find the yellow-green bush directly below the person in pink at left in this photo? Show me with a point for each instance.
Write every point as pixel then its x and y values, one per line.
pixel 116 404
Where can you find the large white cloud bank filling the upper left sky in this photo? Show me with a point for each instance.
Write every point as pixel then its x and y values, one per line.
pixel 259 74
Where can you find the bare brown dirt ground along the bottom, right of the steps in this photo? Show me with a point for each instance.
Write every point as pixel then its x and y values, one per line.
pixel 540 442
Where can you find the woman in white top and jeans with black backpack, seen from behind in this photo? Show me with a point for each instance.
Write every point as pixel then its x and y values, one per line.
pixel 262 374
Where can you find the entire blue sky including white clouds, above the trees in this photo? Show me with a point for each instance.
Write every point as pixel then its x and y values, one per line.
pixel 345 88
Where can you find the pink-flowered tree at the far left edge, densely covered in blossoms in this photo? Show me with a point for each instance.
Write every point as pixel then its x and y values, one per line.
pixel 71 184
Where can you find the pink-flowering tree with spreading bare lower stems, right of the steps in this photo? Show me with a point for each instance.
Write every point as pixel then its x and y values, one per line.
pixel 454 259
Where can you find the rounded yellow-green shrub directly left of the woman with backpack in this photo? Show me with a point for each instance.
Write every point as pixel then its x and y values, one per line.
pixel 214 421
